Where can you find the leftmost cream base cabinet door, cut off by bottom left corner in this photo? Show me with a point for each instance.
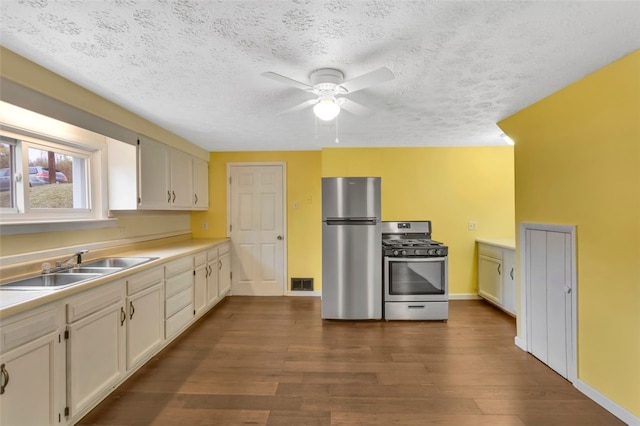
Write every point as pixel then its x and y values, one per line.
pixel 29 383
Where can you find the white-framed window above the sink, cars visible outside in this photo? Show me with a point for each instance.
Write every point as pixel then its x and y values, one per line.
pixel 49 173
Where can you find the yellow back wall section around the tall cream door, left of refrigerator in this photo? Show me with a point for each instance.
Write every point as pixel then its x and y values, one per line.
pixel 304 250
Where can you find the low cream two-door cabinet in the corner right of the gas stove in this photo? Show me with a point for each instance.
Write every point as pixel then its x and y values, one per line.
pixel 496 276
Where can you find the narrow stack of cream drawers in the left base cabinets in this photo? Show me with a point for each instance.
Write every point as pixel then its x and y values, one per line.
pixel 178 276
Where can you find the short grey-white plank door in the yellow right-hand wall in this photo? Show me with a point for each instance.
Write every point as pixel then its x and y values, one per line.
pixel 550 306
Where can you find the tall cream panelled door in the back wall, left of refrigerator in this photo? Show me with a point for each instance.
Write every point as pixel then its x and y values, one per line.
pixel 256 228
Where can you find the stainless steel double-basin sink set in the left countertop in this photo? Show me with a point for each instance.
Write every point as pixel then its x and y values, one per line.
pixel 76 274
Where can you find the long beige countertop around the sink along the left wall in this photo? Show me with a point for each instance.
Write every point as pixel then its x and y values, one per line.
pixel 15 301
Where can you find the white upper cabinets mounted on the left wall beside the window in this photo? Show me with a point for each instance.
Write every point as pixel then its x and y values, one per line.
pixel 154 176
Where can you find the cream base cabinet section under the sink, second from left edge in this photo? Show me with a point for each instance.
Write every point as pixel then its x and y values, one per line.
pixel 96 344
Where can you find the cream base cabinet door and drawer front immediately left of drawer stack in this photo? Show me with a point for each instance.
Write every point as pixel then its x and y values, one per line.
pixel 145 304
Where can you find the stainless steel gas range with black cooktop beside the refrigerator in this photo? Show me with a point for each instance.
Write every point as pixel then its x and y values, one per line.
pixel 415 272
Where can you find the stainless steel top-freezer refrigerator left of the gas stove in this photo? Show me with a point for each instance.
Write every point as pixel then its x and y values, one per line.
pixel 351 248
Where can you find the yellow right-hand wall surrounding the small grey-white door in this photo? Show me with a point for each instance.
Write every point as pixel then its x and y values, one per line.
pixel 577 161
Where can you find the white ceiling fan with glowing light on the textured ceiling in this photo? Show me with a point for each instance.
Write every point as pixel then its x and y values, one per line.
pixel 330 89
